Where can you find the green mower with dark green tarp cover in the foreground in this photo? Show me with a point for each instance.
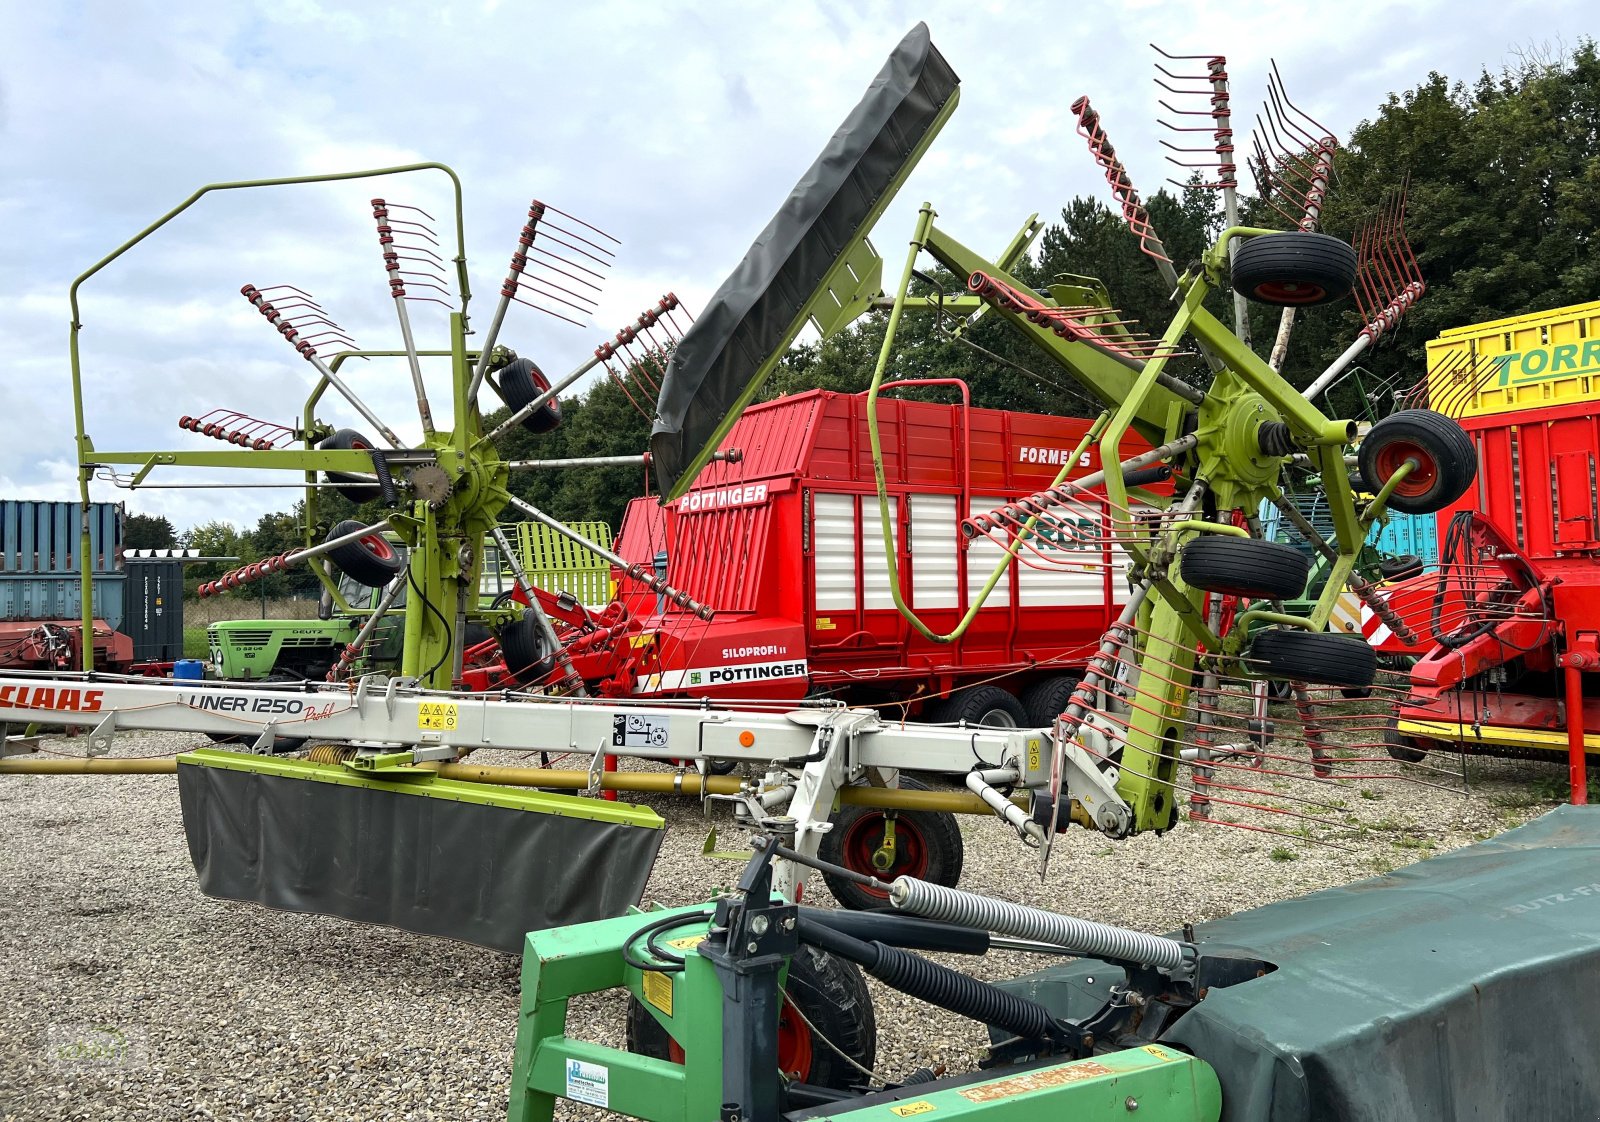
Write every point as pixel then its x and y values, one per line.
pixel 1409 996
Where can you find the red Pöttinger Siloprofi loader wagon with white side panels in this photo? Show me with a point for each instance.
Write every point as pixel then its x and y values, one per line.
pixel 788 548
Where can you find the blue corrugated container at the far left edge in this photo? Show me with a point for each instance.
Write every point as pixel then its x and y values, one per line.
pixel 39 555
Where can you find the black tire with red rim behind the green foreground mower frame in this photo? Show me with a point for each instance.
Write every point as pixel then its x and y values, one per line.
pixel 830 992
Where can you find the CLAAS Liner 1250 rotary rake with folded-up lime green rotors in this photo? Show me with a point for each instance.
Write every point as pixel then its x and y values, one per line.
pixel 1201 620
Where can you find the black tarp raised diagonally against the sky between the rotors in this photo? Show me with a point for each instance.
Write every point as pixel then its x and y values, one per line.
pixel 714 367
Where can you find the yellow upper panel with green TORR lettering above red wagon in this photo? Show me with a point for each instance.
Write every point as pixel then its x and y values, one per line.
pixel 1518 364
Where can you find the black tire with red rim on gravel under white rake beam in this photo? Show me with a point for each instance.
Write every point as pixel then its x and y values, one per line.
pixel 927 846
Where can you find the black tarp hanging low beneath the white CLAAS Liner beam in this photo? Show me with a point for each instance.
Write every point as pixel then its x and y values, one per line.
pixel 468 872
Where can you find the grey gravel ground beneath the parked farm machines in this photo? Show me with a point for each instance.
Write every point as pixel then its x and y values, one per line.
pixel 223 1011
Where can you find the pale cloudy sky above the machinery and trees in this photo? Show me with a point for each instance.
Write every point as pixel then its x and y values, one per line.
pixel 676 127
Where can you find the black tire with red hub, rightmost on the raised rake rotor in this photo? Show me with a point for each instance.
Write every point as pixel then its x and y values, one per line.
pixel 1447 462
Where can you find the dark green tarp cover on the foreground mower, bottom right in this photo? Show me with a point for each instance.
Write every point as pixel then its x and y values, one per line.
pixel 1465 987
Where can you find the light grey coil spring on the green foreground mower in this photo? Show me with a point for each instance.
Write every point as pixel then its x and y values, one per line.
pixel 1081 936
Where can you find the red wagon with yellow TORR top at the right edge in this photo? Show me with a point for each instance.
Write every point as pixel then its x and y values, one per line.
pixel 1516 665
